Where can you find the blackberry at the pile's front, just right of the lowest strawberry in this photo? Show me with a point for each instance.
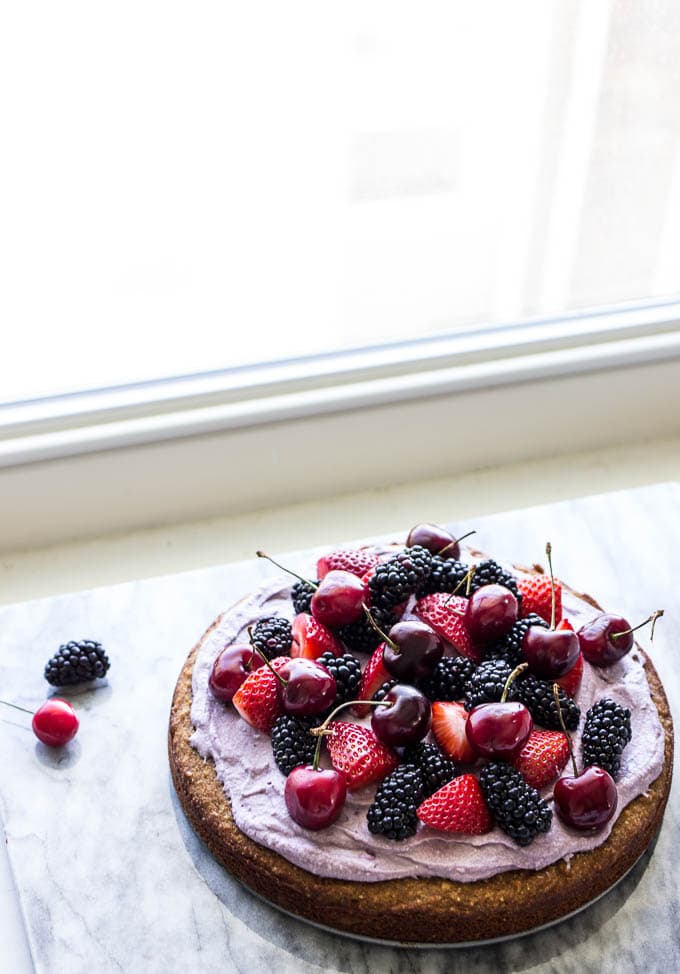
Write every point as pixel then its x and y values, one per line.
pixel 517 807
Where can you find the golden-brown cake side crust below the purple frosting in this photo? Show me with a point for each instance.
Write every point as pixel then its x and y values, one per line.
pixel 437 911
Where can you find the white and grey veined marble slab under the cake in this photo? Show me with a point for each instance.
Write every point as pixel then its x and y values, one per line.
pixel 111 878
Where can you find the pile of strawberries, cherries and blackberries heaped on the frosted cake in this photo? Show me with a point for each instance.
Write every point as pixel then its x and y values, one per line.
pixel 482 661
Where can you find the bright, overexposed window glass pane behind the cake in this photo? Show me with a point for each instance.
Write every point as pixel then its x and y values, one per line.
pixel 189 187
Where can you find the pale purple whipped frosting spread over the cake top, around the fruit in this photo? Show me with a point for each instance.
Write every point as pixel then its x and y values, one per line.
pixel 347 850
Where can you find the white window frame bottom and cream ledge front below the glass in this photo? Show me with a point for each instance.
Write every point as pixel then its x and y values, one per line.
pixel 209 446
